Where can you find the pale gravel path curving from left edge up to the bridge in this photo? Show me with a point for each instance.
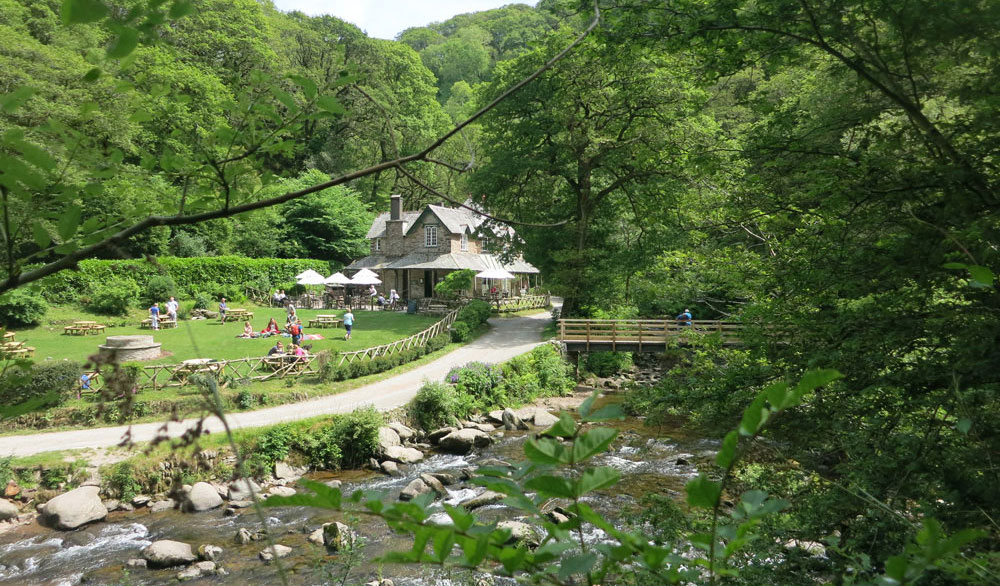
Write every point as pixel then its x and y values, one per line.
pixel 507 338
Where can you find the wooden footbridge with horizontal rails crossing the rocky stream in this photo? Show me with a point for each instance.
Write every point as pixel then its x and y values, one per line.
pixel 640 335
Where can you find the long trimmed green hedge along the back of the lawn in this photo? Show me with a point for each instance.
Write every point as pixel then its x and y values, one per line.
pixel 192 275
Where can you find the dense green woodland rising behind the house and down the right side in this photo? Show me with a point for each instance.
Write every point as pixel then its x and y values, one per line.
pixel 825 172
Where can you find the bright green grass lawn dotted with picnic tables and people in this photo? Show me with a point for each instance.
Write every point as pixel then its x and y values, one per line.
pixel 210 339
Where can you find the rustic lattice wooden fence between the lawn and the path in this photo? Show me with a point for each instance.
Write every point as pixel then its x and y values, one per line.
pixel 268 367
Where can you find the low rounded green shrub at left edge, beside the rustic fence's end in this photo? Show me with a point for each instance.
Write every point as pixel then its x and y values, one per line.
pixel 49 383
